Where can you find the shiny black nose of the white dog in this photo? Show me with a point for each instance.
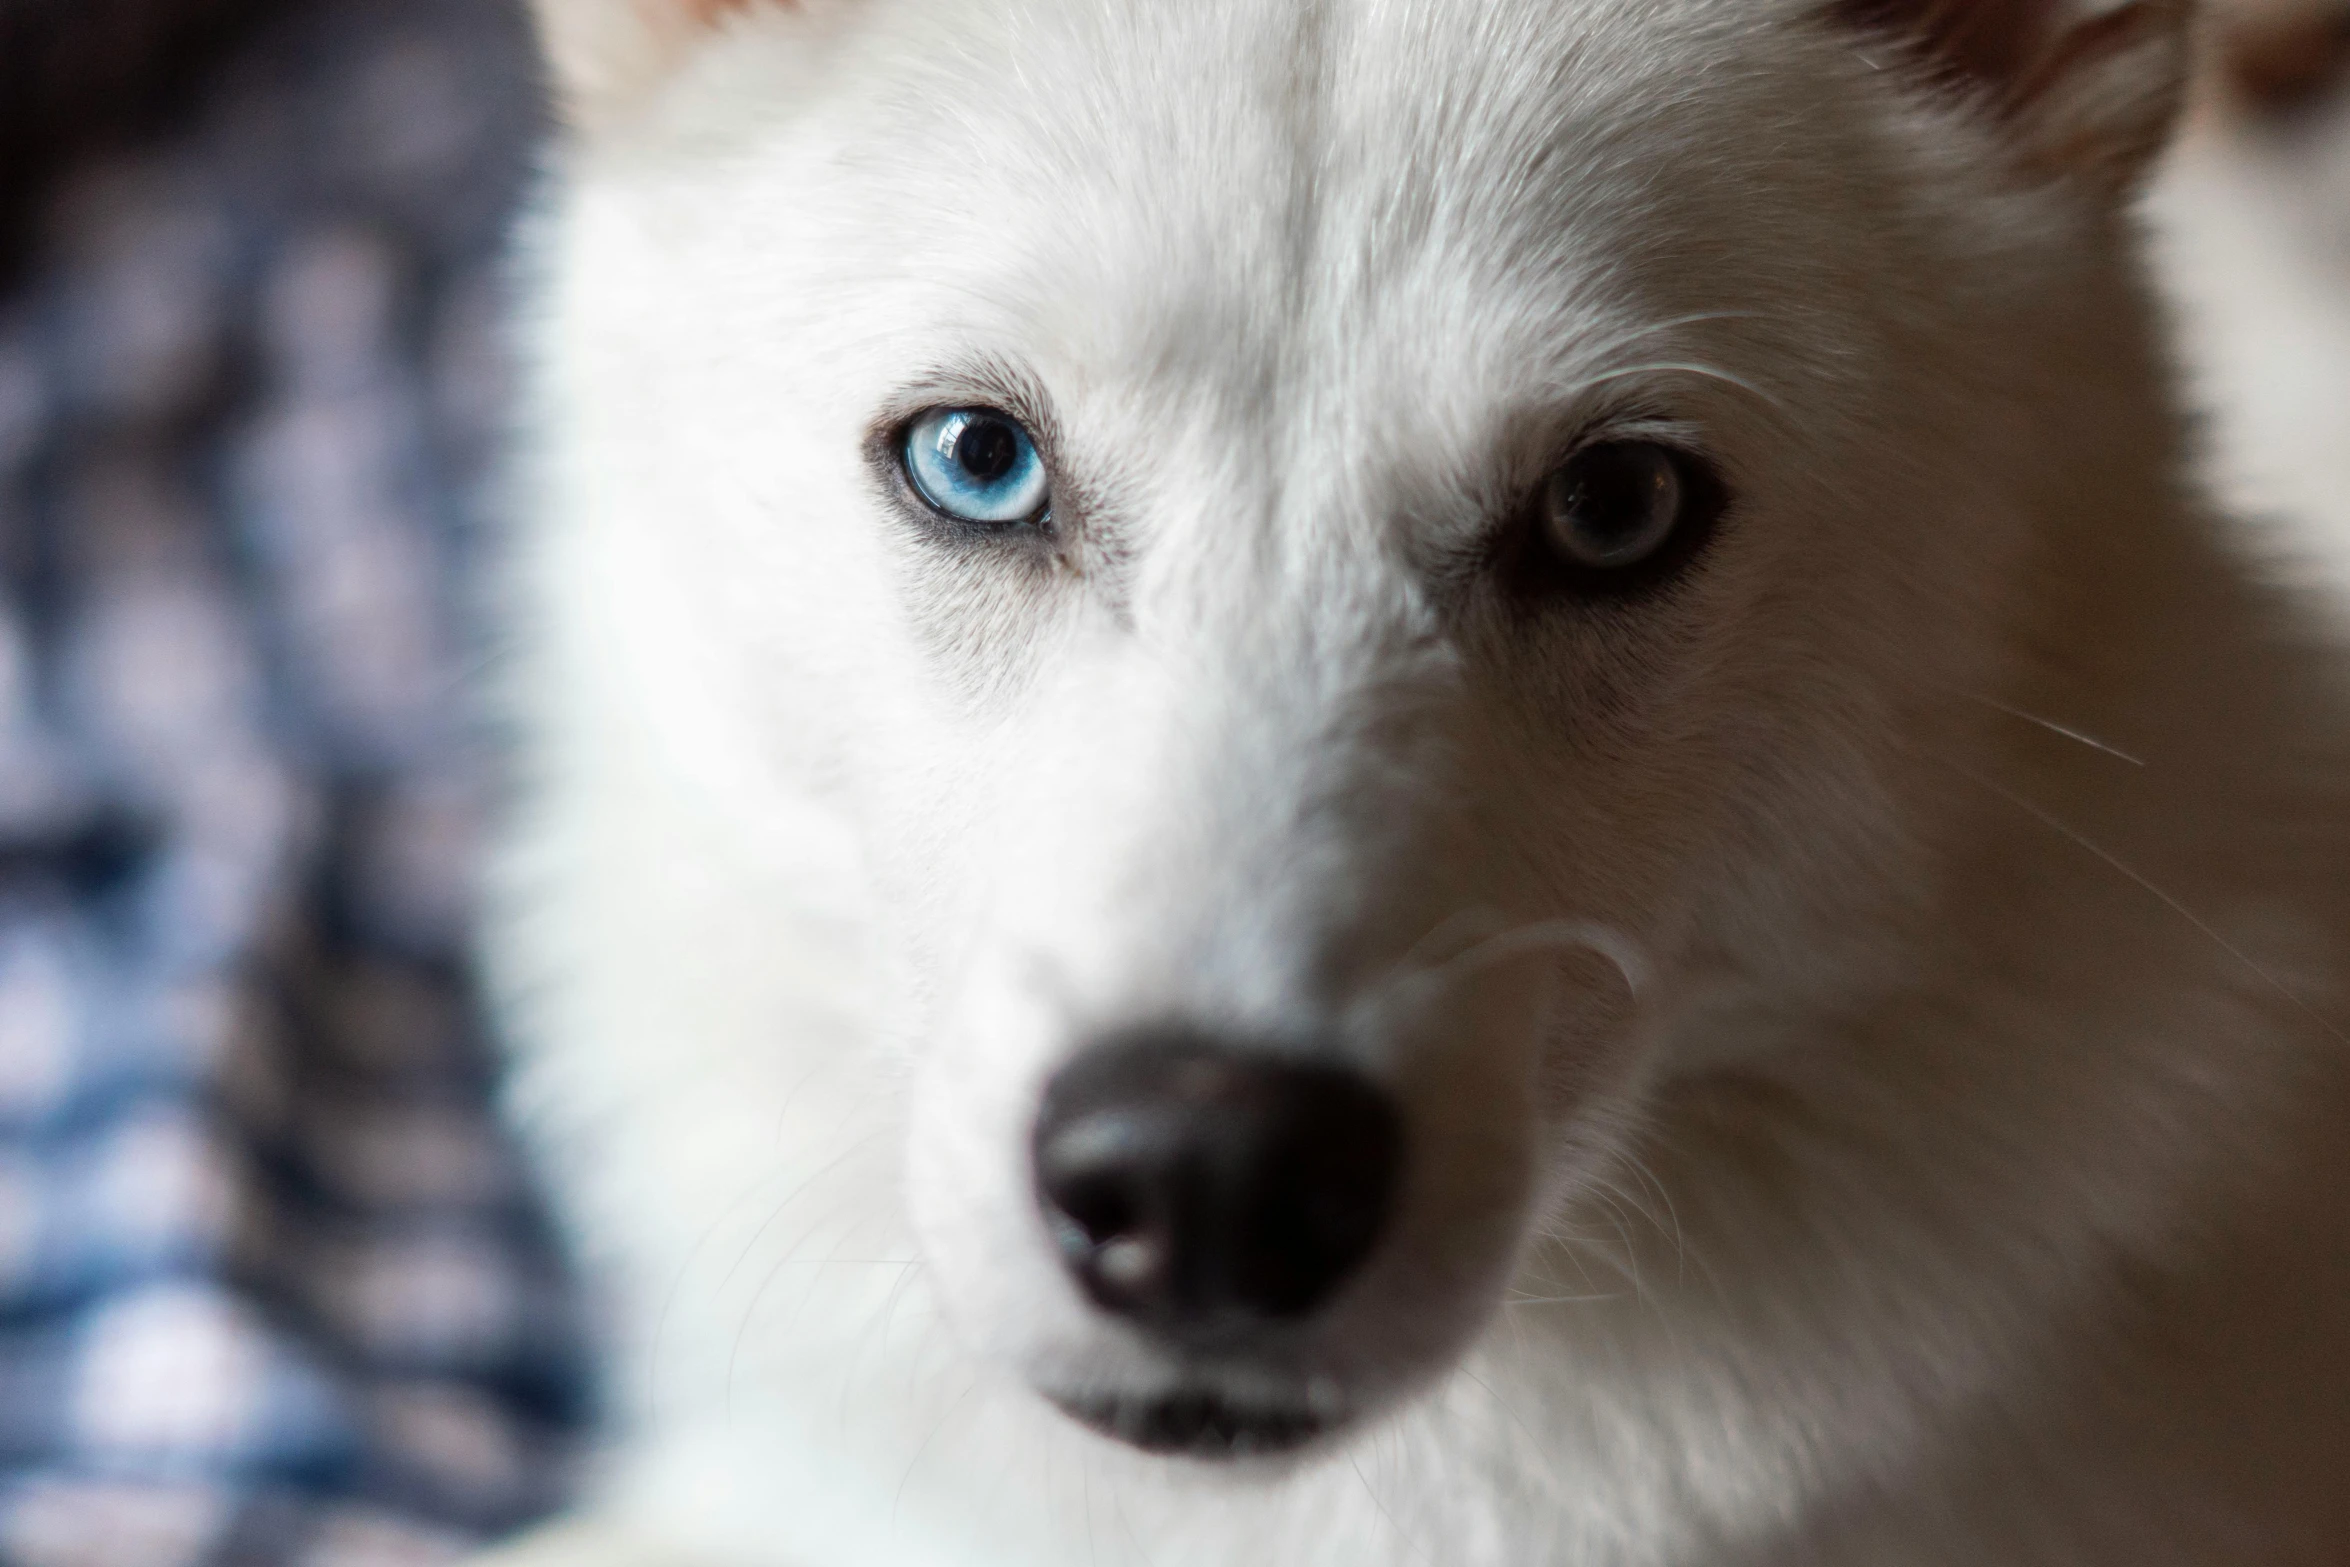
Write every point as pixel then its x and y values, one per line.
pixel 1202 1190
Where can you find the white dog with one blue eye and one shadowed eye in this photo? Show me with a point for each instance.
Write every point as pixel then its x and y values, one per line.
pixel 1341 783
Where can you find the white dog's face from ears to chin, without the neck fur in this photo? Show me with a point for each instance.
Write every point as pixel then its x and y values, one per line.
pixel 1338 558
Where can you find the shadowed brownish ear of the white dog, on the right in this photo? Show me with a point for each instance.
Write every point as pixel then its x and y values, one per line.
pixel 2083 88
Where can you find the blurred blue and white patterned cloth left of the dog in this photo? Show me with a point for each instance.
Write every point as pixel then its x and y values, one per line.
pixel 271 1284
